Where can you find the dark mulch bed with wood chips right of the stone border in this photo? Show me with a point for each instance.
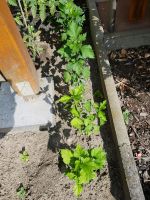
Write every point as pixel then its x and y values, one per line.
pixel 131 71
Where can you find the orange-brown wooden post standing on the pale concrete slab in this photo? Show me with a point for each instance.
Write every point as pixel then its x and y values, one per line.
pixel 15 62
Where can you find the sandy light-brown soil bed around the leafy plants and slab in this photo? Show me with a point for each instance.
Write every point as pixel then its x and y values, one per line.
pixel 40 174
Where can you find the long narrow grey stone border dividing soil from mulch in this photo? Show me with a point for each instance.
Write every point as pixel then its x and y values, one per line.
pixel 130 179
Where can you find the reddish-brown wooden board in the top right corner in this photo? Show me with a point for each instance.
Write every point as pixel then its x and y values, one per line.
pixel 132 15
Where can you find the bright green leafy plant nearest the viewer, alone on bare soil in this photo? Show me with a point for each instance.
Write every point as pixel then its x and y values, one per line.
pixel 82 165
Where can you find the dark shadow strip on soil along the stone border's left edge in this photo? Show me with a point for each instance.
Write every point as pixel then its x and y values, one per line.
pixel 116 188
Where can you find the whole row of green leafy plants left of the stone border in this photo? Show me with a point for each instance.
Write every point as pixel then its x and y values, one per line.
pixel 81 164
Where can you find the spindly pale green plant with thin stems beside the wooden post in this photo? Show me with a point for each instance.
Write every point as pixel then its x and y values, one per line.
pixel 30 37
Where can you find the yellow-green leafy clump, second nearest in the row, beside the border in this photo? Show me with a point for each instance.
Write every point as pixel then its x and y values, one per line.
pixel 84 112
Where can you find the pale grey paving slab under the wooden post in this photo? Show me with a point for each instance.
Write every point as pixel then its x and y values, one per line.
pixel 31 113
